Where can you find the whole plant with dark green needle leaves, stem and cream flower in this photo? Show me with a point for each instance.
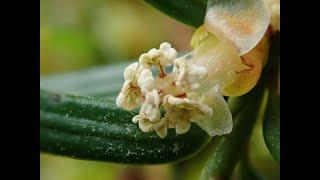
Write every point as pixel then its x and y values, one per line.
pixel 167 106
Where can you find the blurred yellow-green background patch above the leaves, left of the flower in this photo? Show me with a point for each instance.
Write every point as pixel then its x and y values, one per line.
pixel 76 34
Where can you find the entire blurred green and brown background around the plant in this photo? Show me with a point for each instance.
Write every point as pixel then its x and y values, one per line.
pixel 76 34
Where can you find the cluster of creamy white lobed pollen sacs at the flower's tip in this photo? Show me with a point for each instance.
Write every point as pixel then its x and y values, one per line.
pixel 174 91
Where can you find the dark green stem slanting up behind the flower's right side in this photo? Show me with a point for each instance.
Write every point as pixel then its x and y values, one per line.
pixel 245 111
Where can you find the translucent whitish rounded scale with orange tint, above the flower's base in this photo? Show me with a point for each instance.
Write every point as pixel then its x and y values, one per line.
pixel 239 23
